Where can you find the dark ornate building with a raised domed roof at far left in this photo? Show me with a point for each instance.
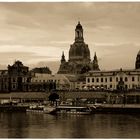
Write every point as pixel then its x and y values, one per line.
pixel 15 78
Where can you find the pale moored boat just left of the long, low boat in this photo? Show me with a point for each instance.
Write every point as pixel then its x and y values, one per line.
pixel 42 109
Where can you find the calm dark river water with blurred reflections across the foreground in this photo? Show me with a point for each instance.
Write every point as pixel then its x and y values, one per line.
pixel 29 125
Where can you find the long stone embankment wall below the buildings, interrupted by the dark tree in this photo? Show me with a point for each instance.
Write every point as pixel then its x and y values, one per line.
pixel 41 96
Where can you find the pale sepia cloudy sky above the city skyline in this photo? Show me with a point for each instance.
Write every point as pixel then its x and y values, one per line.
pixel 37 33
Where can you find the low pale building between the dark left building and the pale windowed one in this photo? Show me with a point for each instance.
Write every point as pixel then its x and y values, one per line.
pixel 46 82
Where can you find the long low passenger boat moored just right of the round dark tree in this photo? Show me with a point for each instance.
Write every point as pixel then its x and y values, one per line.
pixel 73 110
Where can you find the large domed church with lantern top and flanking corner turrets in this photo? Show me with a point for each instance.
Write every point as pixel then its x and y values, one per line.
pixel 79 56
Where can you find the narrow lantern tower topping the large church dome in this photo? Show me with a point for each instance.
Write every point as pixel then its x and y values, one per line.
pixel 79 33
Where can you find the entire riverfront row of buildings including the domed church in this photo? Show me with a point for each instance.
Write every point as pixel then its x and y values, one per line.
pixel 78 73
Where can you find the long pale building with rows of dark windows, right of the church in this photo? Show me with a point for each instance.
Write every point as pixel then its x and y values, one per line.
pixel 113 80
